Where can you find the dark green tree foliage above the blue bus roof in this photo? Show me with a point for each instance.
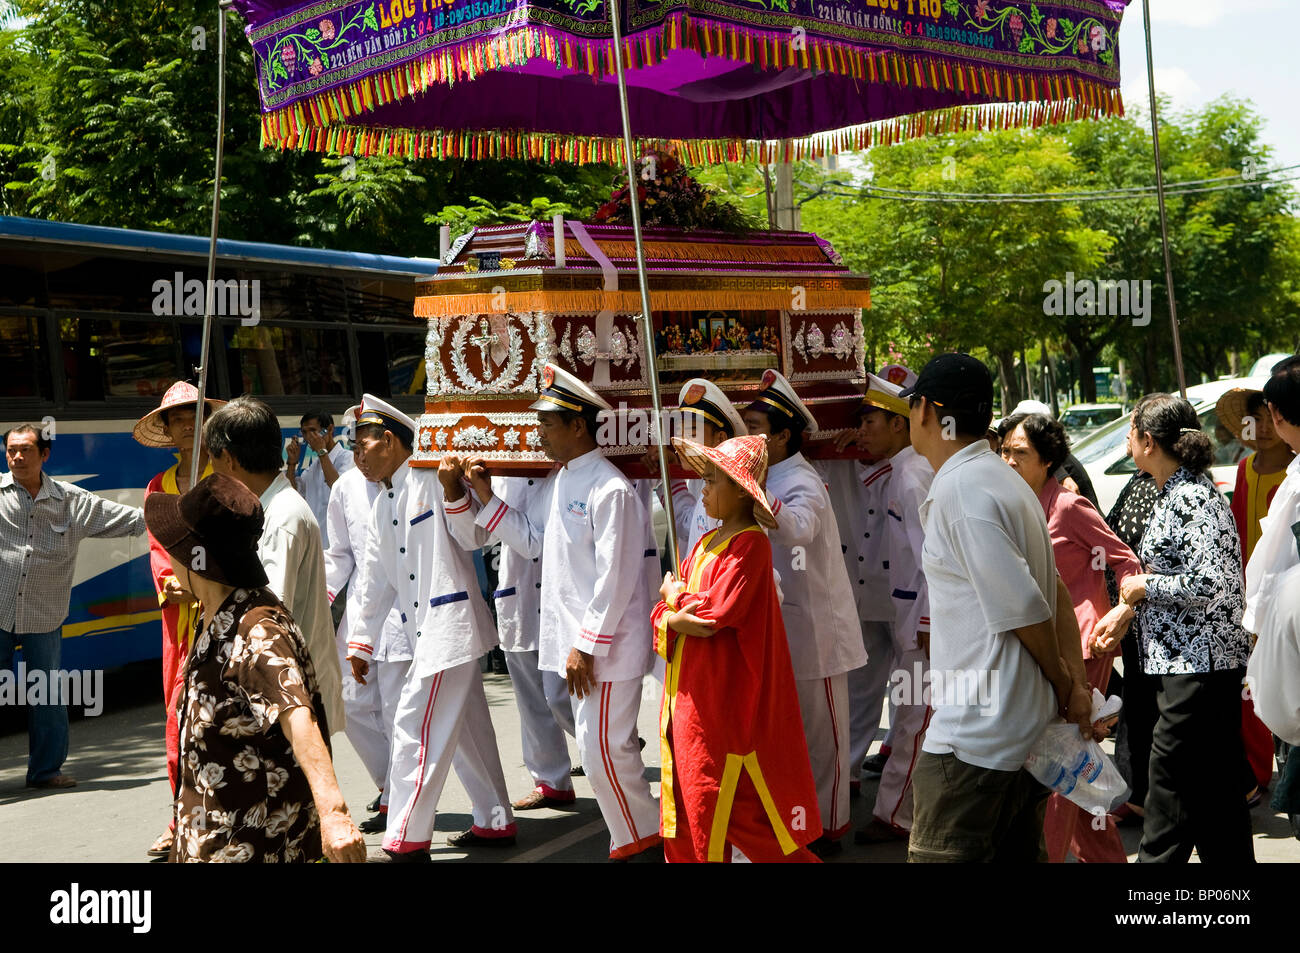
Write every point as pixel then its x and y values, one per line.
pixel 110 119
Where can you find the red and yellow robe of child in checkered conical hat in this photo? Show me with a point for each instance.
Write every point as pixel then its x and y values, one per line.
pixel 735 765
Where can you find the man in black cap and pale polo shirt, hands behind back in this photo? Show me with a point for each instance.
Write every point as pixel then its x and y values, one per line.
pixel 999 674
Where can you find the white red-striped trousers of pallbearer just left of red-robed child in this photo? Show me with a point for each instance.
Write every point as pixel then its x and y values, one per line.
pixel 606 724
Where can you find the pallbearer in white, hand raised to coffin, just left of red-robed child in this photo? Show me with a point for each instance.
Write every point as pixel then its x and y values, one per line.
pixel 593 535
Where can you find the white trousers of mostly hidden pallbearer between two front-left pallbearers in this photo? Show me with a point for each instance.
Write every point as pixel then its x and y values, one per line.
pixel 545 714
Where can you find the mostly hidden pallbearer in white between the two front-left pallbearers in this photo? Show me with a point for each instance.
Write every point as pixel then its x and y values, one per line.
pixel 545 713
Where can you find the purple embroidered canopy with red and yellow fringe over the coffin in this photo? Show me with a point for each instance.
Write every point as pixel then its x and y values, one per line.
pixel 721 79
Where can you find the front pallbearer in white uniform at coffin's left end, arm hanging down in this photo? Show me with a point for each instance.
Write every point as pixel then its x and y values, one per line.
pixel 411 556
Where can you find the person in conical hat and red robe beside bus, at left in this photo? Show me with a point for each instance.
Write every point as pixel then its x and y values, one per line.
pixel 171 426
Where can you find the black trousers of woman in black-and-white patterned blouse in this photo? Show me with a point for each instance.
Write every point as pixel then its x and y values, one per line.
pixel 1195 796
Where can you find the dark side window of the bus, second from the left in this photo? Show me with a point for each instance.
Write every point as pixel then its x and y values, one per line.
pixel 107 358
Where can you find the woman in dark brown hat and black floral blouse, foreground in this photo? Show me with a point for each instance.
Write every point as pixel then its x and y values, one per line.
pixel 257 778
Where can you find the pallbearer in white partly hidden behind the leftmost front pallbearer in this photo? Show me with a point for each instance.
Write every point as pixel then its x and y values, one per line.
pixel 371 704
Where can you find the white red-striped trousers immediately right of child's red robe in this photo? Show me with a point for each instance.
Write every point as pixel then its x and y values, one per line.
pixel 825 707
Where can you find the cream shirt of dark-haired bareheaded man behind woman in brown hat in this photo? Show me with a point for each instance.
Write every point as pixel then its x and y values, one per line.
pixel 291 551
